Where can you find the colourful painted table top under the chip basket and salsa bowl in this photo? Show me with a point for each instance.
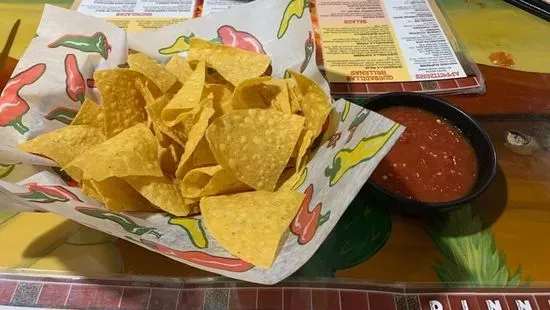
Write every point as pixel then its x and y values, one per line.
pixel 498 240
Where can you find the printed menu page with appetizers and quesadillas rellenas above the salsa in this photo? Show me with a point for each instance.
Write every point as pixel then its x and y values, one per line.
pixel 367 41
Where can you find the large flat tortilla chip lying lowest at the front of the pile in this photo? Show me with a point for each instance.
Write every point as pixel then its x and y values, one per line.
pixel 251 225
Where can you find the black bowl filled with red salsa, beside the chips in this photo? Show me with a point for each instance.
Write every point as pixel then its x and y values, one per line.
pixel 443 160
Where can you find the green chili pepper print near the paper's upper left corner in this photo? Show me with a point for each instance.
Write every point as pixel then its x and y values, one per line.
pixel 96 43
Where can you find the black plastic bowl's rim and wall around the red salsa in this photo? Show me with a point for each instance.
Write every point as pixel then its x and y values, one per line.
pixel 486 156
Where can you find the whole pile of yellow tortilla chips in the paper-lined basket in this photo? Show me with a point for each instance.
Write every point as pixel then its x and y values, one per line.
pixel 210 134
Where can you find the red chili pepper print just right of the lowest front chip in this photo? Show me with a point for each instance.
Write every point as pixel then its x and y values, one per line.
pixel 306 222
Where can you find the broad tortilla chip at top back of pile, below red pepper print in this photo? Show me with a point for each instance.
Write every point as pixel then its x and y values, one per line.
pixel 233 64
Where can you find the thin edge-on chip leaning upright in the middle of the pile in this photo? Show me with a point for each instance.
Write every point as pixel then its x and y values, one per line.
pixel 195 135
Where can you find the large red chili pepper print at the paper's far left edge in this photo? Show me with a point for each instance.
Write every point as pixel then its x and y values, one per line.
pixel 12 106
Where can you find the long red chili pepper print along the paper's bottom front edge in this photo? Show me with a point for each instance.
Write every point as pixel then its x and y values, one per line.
pixel 203 259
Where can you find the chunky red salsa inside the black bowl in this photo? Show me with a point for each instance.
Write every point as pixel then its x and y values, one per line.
pixel 431 162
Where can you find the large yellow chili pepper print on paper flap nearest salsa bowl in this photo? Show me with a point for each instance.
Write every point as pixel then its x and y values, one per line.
pixel 346 159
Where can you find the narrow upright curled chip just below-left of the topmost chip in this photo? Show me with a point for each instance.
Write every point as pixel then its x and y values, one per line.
pixel 186 103
